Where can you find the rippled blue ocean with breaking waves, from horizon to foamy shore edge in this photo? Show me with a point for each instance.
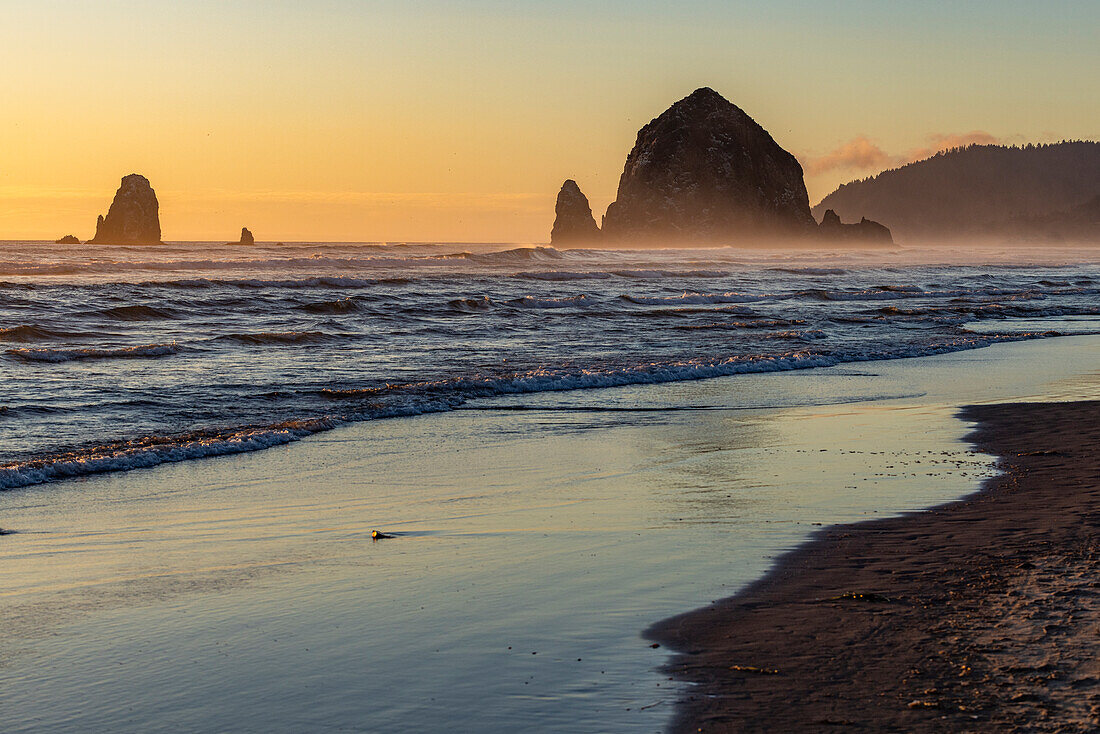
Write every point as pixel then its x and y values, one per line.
pixel 116 358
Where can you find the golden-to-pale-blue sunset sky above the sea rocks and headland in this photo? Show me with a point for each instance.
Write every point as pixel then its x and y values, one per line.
pixel 458 122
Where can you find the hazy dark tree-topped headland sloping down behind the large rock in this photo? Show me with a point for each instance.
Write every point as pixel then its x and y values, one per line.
pixel 982 191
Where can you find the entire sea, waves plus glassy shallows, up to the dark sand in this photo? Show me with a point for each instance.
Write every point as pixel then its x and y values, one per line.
pixel 531 425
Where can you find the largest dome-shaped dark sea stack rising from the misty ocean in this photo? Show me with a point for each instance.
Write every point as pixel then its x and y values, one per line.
pixel 706 172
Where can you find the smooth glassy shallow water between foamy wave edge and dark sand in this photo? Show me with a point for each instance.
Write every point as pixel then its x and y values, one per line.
pixel 245 594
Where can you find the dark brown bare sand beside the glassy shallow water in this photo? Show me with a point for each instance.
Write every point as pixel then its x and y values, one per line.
pixel 980 616
